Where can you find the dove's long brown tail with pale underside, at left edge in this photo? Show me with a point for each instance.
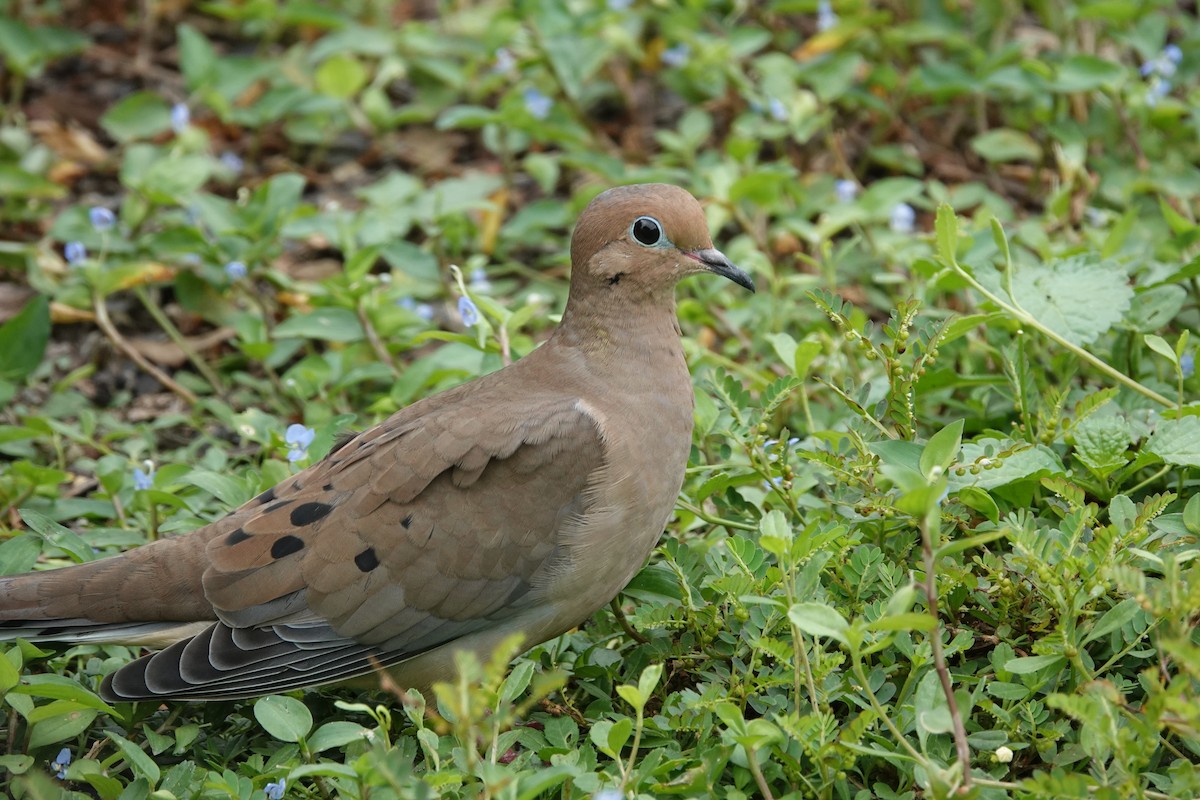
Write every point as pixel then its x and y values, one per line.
pixel 151 597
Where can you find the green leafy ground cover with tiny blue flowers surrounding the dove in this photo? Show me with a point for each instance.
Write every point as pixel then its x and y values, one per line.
pixel 939 536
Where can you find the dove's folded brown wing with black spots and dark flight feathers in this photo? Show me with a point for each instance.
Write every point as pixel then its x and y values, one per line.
pixel 428 528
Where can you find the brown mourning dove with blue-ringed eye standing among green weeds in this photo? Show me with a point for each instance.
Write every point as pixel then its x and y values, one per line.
pixel 518 503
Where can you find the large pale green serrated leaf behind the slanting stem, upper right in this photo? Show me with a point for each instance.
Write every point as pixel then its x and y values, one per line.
pixel 1052 294
